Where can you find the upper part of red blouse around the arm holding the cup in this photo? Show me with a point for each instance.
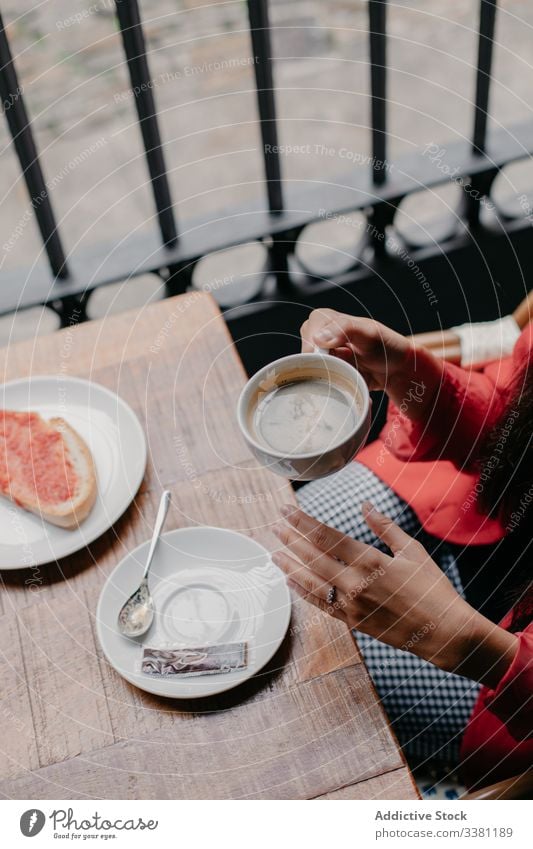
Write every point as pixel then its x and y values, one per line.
pixel 430 466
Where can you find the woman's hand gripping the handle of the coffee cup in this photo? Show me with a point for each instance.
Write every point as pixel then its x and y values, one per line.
pixel 386 359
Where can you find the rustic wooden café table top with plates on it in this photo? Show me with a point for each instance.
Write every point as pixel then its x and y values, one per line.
pixel 308 726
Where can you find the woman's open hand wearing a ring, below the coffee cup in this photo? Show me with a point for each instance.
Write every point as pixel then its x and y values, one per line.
pixel 404 600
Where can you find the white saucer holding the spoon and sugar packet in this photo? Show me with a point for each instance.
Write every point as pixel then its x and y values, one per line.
pixel 209 585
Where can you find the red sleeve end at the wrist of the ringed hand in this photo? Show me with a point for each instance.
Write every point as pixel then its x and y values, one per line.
pixel 512 700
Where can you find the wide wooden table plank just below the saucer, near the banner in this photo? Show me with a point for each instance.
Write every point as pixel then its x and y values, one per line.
pixel 297 743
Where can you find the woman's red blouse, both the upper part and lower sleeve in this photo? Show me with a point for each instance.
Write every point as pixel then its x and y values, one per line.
pixel 430 467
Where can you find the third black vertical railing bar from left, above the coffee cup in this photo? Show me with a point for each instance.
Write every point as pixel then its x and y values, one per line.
pixel 262 51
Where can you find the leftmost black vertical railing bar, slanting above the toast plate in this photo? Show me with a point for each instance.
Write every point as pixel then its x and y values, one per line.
pixel 26 149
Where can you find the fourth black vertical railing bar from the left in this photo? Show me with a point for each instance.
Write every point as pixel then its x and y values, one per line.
pixel 378 87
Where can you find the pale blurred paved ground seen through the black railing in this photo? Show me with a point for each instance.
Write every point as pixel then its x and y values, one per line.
pixel 71 68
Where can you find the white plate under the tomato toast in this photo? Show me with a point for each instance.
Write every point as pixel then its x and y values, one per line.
pixel 116 440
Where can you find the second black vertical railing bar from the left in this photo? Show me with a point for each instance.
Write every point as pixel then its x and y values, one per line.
pixel 135 50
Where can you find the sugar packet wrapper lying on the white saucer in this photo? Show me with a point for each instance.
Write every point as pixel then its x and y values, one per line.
pixel 186 662
